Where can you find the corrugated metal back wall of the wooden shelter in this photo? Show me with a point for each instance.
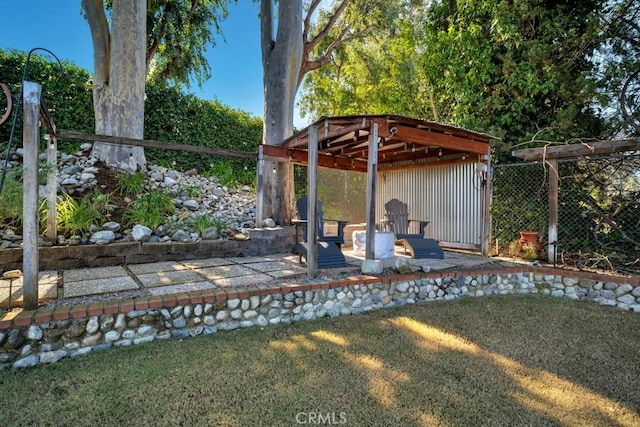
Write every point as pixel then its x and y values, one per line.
pixel 450 196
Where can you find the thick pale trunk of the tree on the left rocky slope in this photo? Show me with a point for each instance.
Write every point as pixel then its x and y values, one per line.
pixel 119 78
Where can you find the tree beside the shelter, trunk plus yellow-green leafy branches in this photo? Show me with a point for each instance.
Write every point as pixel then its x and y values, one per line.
pixel 288 54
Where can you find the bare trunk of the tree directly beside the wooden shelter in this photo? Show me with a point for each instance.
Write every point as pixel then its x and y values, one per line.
pixel 281 59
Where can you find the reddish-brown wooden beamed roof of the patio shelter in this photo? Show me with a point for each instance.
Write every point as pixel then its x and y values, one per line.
pixel 343 143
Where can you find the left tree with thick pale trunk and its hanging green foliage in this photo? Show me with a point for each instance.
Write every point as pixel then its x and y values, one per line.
pixel 171 52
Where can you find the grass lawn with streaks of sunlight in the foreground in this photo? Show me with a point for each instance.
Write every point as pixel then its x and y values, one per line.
pixel 478 361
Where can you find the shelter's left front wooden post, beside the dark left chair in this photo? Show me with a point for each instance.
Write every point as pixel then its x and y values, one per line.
pixel 312 200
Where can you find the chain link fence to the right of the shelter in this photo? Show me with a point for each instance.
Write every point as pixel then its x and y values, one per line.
pixel 598 211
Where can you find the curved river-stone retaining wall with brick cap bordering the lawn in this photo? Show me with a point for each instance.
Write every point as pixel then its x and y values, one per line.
pixel 45 336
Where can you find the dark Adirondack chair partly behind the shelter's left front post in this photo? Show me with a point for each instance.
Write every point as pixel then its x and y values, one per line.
pixel 329 253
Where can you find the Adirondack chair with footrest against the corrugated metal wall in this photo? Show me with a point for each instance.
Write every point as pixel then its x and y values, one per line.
pixel 397 220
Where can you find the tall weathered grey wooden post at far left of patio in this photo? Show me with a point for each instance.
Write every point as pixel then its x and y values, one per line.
pixel 30 142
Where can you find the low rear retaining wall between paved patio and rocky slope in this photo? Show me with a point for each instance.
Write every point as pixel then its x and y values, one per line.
pixel 261 242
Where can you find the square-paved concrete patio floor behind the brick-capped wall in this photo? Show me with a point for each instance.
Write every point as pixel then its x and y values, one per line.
pixel 163 278
